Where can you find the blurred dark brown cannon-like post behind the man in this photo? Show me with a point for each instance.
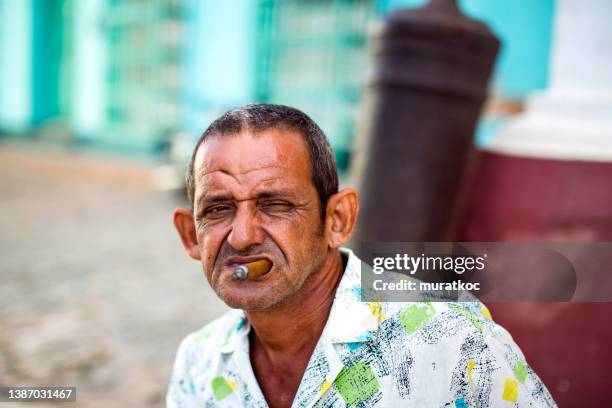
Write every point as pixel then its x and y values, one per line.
pixel 432 69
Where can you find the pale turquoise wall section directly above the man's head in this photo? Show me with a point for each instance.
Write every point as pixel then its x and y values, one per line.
pixel 219 57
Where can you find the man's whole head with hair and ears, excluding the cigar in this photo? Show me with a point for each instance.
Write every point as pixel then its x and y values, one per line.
pixel 263 184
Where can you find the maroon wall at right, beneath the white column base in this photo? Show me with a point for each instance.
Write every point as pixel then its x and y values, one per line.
pixel 528 200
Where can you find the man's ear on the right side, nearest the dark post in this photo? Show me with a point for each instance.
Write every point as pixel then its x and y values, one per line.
pixel 341 217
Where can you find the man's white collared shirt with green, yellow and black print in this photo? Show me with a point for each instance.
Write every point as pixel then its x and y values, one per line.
pixel 370 354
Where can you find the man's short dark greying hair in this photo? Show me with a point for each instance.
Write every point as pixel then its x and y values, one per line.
pixel 259 117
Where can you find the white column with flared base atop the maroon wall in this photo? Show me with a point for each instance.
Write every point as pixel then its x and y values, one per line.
pixel 572 119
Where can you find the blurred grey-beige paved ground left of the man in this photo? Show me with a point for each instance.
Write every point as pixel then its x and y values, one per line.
pixel 95 289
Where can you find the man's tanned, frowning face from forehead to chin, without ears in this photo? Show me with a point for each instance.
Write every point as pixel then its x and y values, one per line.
pixel 254 198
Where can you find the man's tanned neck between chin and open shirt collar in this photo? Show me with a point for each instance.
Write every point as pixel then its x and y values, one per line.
pixel 296 325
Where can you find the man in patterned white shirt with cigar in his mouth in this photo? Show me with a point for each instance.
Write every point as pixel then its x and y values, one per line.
pixel 263 185
